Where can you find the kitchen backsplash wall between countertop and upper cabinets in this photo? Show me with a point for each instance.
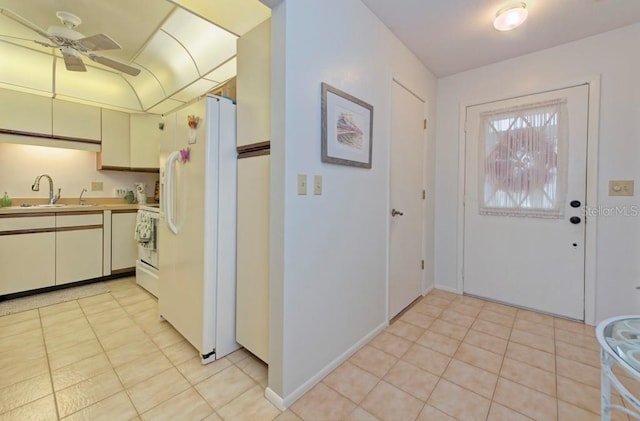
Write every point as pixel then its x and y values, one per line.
pixel 72 170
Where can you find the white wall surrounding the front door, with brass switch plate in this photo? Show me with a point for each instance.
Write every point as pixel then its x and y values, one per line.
pixel 612 56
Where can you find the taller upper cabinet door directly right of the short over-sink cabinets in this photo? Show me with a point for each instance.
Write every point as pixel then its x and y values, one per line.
pixel 115 139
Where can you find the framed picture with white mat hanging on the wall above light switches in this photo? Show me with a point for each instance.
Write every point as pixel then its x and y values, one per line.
pixel 347 128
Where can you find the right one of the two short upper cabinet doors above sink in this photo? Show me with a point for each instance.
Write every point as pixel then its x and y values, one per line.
pixel 77 121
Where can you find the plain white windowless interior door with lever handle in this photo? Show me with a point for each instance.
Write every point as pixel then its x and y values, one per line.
pixel 407 205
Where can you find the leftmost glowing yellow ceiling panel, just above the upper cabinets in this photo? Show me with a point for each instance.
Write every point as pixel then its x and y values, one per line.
pixel 24 67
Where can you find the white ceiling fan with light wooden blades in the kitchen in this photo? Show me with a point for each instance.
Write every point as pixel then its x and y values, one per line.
pixel 73 44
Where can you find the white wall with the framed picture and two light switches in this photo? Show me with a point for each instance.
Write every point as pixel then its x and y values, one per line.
pixel 329 252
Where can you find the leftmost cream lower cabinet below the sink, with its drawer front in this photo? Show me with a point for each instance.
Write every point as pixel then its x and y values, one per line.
pixel 27 253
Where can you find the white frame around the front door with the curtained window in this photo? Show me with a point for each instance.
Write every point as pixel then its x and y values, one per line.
pixel 593 136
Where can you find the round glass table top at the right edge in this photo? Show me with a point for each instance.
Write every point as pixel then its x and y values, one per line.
pixel 623 336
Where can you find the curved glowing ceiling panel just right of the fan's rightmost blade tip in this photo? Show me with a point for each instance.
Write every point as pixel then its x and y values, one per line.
pixel 169 62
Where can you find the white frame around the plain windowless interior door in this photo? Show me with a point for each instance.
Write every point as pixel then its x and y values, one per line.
pixel 423 279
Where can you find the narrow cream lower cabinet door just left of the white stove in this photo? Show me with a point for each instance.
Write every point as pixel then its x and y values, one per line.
pixel 124 248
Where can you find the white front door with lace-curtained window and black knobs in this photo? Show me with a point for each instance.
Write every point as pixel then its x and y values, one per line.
pixel 525 189
